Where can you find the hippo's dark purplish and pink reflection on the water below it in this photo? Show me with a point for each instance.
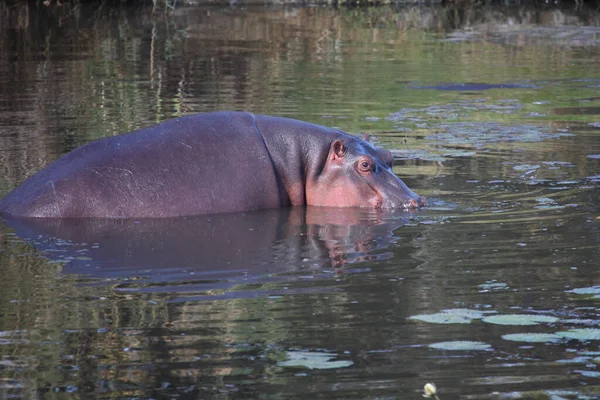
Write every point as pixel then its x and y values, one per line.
pixel 214 252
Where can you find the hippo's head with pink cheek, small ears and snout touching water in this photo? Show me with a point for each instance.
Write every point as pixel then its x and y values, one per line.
pixel 355 174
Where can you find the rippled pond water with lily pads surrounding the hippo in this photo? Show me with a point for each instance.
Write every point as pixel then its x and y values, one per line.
pixel 493 114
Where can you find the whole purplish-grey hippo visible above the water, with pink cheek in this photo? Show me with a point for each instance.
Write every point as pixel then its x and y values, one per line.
pixel 212 163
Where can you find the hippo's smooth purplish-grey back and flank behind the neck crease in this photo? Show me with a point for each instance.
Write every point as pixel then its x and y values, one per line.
pixel 205 163
